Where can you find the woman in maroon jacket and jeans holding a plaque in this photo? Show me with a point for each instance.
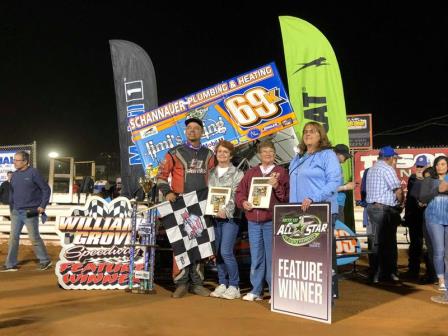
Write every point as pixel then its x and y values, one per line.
pixel 260 189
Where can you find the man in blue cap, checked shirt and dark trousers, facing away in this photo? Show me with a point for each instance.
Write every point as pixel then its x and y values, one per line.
pixel 384 199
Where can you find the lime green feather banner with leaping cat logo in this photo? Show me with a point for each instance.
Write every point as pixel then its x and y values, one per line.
pixel 314 81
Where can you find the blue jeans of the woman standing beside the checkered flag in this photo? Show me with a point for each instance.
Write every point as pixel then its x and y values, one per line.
pixel 226 232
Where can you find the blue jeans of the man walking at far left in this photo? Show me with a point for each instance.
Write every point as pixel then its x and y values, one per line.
pixel 18 219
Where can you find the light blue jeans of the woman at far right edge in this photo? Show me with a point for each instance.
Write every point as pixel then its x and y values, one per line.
pixel 439 240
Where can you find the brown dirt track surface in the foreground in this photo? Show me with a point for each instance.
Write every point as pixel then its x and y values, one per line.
pixel 31 303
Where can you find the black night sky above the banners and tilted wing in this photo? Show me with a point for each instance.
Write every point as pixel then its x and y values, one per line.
pixel 57 80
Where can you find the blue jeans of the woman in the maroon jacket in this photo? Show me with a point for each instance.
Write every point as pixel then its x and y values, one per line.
pixel 260 240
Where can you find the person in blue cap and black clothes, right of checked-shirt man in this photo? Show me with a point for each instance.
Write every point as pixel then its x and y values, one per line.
pixel 414 220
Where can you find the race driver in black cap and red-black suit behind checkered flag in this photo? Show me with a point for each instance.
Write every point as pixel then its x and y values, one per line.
pixel 188 166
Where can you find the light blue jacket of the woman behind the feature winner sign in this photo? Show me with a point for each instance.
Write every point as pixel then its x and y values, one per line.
pixel 316 176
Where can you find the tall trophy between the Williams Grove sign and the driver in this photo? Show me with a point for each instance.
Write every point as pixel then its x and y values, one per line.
pixel 147 239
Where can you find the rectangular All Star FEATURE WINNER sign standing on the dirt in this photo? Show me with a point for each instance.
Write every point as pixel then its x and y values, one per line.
pixel 301 261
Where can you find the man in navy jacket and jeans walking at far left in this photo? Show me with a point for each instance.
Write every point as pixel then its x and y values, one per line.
pixel 29 195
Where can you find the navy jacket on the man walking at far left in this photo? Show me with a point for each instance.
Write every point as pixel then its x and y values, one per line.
pixel 28 190
